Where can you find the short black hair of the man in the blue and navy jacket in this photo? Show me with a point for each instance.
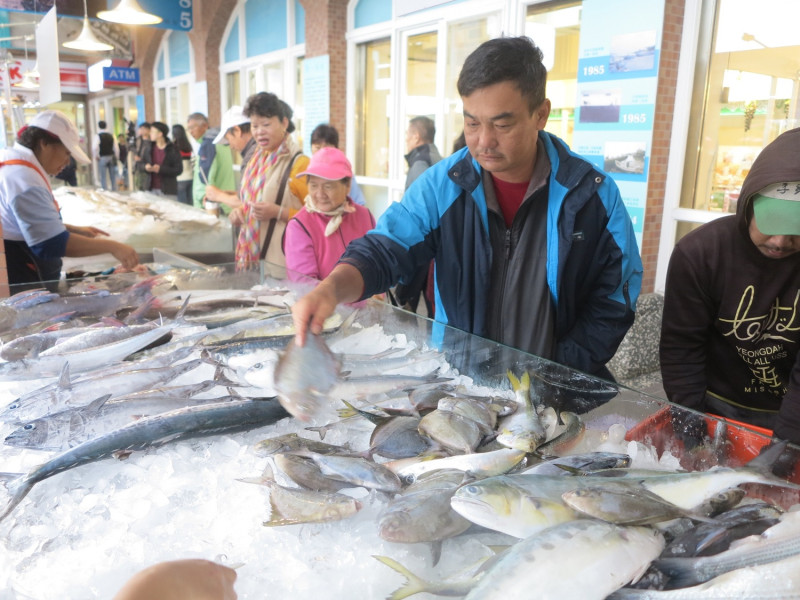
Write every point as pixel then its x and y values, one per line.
pixel 515 59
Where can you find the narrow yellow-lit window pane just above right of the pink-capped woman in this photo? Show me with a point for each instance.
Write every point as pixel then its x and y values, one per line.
pixel 372 108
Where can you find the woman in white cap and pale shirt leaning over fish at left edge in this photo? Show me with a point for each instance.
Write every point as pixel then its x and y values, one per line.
pixel 34 235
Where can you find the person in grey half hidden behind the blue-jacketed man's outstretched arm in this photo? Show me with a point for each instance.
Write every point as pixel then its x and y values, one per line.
pixel 422 153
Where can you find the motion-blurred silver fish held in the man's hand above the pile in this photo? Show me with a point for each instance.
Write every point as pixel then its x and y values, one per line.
pixel 303 377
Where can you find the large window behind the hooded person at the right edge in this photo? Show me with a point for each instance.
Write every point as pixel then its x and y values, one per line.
pixel 751 96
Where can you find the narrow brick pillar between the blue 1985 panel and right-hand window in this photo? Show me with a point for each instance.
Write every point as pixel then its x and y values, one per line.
pixel 659 153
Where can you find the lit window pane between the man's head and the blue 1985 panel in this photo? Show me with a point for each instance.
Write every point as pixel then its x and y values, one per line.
pixel 556 30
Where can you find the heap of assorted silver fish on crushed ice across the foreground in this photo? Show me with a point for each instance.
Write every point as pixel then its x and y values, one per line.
pixel 417 456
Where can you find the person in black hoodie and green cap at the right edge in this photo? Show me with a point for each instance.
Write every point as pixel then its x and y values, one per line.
pixel 731 328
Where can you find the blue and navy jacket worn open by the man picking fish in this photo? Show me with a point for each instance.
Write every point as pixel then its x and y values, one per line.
pixel 594 271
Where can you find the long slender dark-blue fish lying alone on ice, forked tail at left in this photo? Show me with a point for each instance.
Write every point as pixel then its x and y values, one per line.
pixel 191 422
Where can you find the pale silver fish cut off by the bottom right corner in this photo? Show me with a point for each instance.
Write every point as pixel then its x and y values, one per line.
pixel 779 580
